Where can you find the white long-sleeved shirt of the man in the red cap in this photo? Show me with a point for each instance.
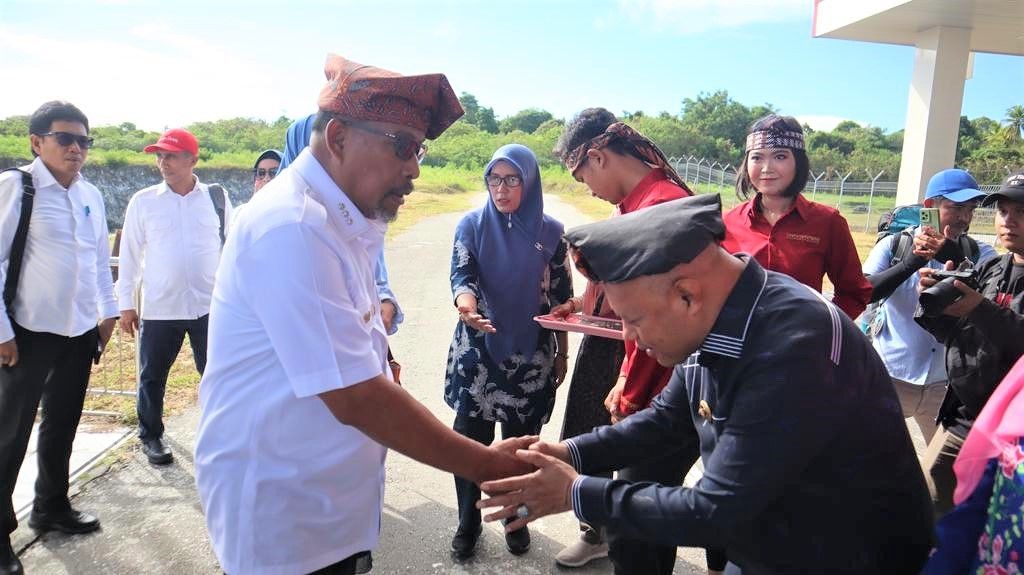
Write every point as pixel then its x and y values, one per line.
pixel 172 243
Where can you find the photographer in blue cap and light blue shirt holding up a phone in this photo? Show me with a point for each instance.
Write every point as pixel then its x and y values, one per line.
pixel 915 361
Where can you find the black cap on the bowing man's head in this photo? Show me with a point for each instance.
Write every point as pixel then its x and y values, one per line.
pixel 648 242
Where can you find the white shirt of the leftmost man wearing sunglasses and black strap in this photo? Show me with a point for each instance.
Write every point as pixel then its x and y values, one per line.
pixel 66 286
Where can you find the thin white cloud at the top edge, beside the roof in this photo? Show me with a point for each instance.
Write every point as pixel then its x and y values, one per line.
pixel 691 17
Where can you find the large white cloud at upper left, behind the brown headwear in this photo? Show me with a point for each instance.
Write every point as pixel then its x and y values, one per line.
pixel 152 76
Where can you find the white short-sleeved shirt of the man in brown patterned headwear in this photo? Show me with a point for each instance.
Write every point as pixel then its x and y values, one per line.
pixel 286 489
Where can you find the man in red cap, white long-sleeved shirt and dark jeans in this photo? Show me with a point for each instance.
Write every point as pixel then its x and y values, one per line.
pixel 172 245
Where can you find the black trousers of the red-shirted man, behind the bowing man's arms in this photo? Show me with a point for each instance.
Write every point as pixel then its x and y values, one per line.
pixel 632 557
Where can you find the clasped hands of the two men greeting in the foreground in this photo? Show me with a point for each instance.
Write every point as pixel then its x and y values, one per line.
pixel 528 480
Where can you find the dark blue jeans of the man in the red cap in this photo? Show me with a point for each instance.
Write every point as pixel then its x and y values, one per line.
pixel 159 344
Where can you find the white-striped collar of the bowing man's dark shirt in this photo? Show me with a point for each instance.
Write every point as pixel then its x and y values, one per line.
pixel 729 336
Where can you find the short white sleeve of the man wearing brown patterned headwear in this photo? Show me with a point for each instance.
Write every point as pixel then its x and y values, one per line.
pixel 308 312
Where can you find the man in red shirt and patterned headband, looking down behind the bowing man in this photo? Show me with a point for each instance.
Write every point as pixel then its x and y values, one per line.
pixel 624 168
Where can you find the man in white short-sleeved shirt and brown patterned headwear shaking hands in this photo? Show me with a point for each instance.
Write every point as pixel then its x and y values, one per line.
pixel 298 407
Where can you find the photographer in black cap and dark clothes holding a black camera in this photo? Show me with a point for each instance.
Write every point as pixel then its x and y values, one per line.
pixel 984 332
